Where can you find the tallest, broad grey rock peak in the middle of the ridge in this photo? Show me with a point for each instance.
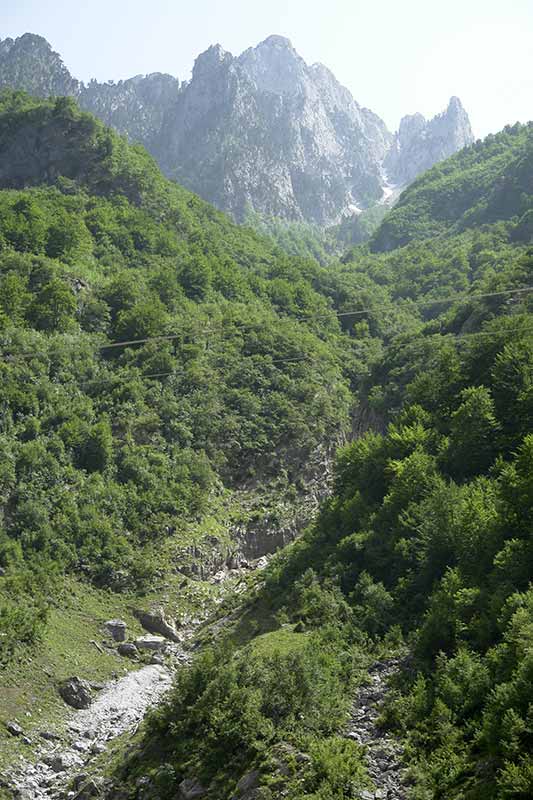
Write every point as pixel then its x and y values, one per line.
pixel 267 132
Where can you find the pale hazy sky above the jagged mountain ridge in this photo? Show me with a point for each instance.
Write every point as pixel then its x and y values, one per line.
pixel 396 56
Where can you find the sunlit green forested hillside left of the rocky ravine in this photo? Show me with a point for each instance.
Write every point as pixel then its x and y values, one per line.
pixel 104 445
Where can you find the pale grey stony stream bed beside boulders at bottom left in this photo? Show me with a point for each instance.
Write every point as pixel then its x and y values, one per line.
pixel 119 708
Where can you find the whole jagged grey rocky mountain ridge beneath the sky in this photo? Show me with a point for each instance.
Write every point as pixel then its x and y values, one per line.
pixel 262 132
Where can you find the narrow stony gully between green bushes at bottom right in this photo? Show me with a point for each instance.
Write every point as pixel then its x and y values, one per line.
pixel 383 752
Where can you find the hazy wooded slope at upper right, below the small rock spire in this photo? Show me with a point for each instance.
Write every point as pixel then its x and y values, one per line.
pixel 489 181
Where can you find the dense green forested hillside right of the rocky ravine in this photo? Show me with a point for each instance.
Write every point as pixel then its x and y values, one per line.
pixel 424 549
